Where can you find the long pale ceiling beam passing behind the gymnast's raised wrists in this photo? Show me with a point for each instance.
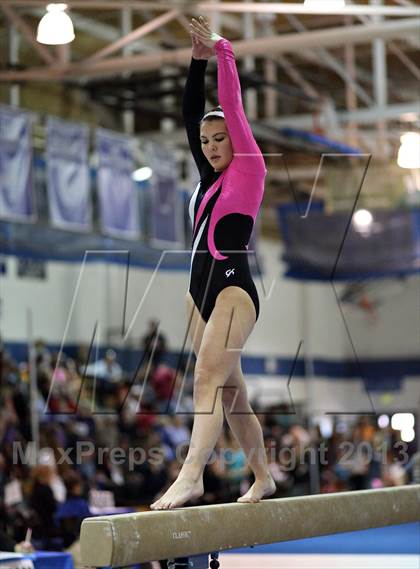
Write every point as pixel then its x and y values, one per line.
pixel 285 43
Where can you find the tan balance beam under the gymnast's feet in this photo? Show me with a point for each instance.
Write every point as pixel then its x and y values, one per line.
pixel 127 539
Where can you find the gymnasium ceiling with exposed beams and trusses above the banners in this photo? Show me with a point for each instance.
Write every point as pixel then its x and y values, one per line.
pixel 352 76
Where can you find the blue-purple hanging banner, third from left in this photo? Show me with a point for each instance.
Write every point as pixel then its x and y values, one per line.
pixel 118 201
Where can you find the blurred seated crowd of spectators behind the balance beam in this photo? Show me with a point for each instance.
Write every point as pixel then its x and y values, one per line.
pixel 103 432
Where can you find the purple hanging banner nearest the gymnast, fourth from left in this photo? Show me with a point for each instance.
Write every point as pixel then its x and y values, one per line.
pixel 166 208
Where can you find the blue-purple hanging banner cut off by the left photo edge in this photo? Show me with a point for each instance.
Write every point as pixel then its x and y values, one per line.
pixel 16 177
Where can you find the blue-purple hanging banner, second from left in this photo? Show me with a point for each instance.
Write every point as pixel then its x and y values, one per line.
pixel 68 179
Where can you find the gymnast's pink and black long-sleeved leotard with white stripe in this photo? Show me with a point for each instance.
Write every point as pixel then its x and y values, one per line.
pixel 225 204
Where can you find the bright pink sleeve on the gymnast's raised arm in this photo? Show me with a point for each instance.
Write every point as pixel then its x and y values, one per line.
pixel 247 155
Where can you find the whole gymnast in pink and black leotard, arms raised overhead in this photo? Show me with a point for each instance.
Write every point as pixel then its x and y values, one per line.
pixel 222 299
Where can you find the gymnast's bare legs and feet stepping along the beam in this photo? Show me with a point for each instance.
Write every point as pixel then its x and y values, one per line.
pixel 218 366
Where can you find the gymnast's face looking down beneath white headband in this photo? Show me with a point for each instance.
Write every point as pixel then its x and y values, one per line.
pixel 216 144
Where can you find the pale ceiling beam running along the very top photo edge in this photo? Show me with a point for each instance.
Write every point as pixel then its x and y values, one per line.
pixel 232 7
